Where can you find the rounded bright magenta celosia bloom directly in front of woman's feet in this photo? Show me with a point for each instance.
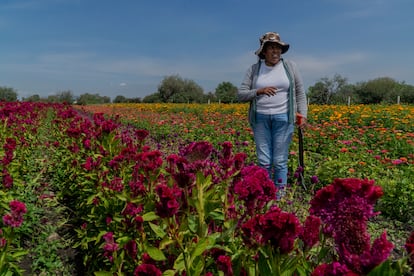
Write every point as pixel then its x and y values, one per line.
pixel 254 188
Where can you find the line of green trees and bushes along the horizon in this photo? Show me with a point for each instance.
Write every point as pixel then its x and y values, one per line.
pixel 175 89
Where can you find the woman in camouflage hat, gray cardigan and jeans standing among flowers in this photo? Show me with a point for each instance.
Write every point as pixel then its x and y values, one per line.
pixel 274 88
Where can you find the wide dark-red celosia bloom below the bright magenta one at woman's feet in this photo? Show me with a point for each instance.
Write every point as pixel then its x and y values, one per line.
pixel 276 228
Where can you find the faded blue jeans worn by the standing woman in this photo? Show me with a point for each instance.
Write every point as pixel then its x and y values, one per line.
pixel 273 135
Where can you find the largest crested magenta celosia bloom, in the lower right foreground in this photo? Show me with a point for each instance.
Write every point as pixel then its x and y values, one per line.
pixel 345 207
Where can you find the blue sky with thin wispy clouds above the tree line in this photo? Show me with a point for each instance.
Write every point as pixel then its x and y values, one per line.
pixel 127 47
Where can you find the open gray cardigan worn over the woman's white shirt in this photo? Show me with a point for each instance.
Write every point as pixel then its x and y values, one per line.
pixel 297 97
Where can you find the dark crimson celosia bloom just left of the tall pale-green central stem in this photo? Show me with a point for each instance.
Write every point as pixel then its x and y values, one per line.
pixel 168 203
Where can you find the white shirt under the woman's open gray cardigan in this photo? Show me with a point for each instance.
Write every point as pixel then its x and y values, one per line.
pixel 273 76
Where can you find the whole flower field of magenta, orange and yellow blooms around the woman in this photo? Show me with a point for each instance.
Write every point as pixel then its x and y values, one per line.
pixel 169 189
